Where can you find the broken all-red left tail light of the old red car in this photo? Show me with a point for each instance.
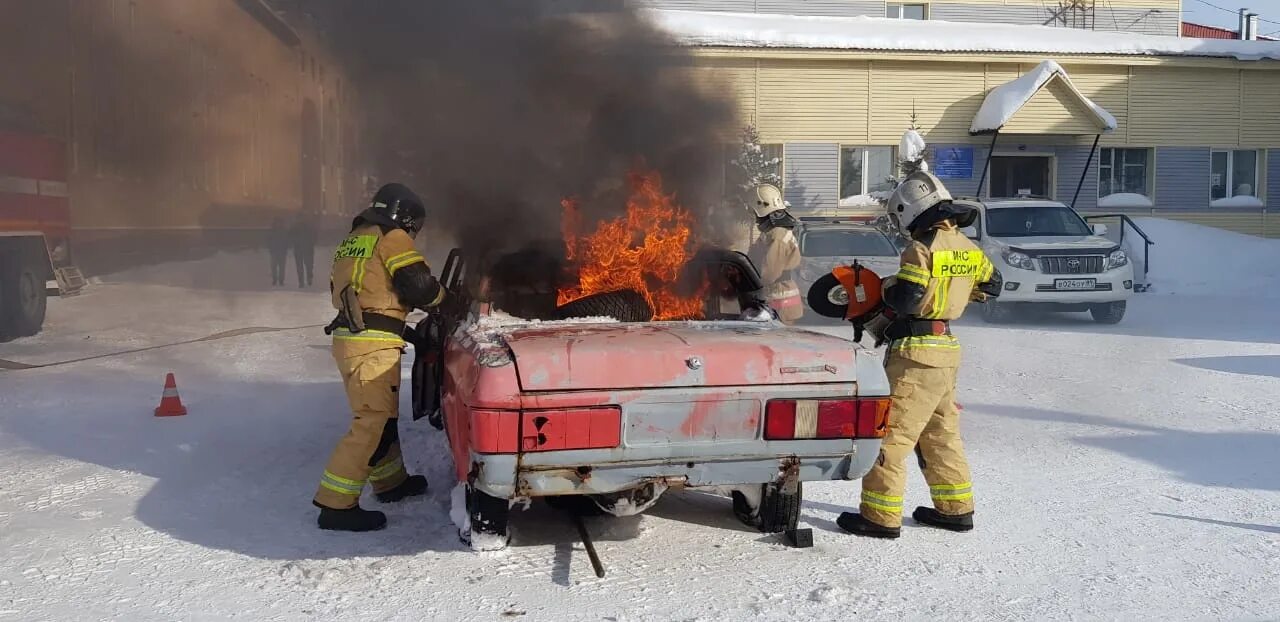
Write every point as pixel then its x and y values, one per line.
pixel 511 432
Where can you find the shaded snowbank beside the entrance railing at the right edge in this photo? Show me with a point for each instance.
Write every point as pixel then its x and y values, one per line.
pixel 1246 266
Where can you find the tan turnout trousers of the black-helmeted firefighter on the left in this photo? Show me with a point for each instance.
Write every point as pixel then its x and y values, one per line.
pixel 371 452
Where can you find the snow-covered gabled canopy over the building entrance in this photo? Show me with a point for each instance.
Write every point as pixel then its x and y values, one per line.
pixel 1043 102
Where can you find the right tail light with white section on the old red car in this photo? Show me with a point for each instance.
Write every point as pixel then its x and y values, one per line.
pixel 826 419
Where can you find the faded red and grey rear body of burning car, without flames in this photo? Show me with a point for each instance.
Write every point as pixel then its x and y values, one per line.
pixel 604 409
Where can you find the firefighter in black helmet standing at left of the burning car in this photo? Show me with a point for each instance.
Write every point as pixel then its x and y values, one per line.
pixel 378 278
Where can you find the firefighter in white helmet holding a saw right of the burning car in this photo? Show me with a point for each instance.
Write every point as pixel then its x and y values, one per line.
pixel 941 272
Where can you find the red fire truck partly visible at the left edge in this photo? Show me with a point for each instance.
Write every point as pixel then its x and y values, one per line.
pixel 35 231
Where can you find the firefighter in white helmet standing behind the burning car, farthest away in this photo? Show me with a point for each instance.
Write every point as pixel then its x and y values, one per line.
pixel 776 253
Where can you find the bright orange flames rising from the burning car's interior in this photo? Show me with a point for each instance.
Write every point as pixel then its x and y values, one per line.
pixel 644 250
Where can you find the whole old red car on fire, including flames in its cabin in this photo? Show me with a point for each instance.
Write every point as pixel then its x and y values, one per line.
pixel 621 364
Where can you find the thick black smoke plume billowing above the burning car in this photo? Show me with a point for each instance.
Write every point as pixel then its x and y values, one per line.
pixel 495 111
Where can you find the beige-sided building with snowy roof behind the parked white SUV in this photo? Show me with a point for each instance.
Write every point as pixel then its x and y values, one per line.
pixel 1196 126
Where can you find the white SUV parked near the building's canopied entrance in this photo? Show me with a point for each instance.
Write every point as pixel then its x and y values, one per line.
pixel 1050 258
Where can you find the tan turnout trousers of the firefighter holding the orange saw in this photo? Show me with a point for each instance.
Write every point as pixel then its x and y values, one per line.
pixel 924 418
